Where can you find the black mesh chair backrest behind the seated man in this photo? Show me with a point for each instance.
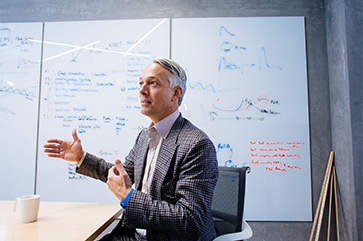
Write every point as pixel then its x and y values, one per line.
pixel 228 199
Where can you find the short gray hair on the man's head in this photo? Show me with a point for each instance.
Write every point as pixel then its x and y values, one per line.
pixel 177 75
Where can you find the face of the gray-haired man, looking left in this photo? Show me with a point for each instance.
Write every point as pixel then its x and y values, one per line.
pixel 156 97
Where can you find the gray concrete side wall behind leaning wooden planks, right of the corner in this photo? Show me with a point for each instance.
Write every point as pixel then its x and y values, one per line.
pixel 345 46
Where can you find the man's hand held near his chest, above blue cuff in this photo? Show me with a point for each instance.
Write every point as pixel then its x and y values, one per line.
pixel 118 181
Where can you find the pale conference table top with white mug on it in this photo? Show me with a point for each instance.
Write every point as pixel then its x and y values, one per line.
pixel 58 221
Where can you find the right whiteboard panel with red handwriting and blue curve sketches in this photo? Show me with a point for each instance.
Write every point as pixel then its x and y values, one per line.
pixel 248 91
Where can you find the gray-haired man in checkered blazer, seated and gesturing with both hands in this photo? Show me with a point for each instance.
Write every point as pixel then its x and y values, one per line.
pixel 172 163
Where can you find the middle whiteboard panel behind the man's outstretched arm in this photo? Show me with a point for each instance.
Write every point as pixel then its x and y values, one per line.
pixel 89 83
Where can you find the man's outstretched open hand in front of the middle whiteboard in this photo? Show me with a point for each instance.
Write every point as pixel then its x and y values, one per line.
pixel 67 150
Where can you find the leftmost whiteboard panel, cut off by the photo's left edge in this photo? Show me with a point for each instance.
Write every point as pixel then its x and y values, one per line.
pixel 19 97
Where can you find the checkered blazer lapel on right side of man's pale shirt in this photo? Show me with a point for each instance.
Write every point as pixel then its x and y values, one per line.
pixel 165 157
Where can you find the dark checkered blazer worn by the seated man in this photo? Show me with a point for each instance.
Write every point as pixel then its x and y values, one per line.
pixel 181 193
